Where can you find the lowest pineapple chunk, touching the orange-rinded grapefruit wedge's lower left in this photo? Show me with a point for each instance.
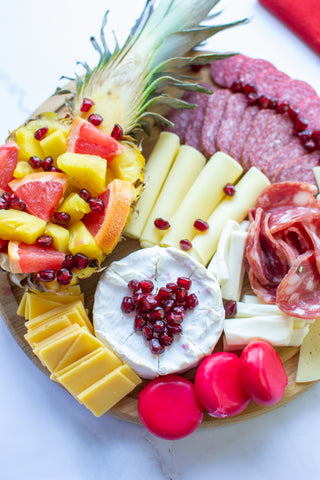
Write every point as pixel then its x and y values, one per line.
pixel 81 241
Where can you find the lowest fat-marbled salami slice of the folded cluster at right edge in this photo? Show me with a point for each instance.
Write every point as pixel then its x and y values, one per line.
pixel 299 292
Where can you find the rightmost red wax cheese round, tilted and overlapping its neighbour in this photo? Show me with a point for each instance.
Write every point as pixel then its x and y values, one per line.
pixel 262 373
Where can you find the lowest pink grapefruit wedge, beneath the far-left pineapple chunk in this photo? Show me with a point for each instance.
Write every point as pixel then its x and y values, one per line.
pixel 25 258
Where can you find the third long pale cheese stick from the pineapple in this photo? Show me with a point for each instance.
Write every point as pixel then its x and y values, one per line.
pixel 202 198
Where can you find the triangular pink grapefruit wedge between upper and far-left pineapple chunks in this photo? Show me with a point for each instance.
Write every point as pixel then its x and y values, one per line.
pixel 41 192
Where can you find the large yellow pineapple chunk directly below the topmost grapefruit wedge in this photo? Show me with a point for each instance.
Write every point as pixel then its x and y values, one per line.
pixel 89 171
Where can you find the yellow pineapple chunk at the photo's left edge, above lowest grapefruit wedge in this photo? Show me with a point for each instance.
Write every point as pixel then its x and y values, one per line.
pixel 20 226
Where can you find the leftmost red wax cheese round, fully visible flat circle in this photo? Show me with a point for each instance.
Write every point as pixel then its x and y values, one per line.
pixel 168 407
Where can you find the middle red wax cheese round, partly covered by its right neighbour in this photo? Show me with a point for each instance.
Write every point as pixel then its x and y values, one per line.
pixel 218 385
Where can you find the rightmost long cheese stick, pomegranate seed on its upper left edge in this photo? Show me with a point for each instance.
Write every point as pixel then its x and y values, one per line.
pixel 236 207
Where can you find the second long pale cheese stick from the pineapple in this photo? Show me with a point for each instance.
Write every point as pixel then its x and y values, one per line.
pixel 187 166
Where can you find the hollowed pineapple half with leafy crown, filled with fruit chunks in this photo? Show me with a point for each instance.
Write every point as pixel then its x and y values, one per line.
pixel 68 183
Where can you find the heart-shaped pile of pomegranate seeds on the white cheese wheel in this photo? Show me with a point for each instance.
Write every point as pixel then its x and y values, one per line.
pixel 159 316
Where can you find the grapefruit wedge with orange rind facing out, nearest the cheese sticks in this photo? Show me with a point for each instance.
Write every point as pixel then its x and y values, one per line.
pixel 106 226
